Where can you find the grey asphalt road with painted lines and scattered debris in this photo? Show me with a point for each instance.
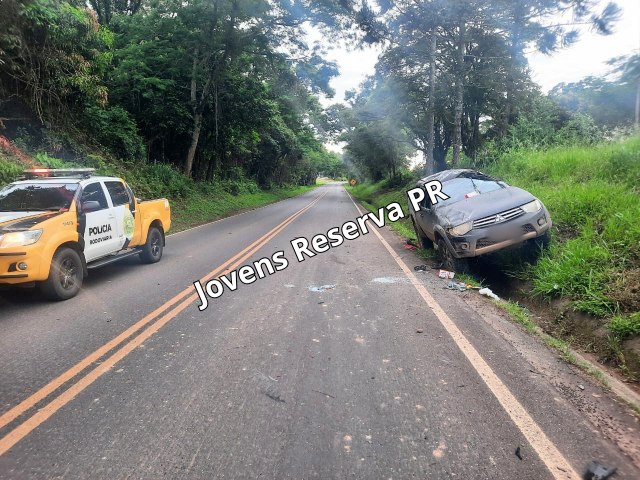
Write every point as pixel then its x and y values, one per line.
pixel 316 371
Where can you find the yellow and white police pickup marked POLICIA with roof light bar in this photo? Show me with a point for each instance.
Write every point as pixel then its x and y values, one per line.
pixel 56 225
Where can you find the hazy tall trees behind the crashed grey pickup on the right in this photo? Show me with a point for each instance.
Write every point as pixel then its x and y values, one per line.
pixel 452 81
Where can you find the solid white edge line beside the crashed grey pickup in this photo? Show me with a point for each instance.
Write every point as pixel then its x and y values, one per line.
pixel 553 459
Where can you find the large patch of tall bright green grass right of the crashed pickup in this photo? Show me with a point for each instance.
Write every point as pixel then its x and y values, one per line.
pixel 593 197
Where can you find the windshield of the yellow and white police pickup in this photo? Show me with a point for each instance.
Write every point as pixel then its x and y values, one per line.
pixel 36 197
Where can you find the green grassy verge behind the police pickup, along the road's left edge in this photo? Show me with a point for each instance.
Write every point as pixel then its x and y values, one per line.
pixel 192 203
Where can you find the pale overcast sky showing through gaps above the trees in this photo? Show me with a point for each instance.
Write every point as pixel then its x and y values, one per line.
pixel 587 57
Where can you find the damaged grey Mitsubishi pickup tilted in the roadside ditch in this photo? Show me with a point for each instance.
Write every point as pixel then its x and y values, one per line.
pixel 481 215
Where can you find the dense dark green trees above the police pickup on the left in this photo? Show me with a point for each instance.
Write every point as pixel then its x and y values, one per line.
pixel 217 88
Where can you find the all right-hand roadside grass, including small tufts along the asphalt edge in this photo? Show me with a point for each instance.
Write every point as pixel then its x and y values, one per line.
pixel 593 196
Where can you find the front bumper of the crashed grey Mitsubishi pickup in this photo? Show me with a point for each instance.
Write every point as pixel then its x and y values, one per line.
pixel 480 241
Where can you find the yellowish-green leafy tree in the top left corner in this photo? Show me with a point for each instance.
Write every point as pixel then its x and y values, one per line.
pixel 53 54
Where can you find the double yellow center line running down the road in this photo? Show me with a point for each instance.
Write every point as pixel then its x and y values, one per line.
pixel 153 322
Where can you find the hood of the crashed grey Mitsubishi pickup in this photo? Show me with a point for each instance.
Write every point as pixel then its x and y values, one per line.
pixel 483 205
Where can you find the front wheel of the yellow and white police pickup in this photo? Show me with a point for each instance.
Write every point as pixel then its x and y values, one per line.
pixel 65 276
